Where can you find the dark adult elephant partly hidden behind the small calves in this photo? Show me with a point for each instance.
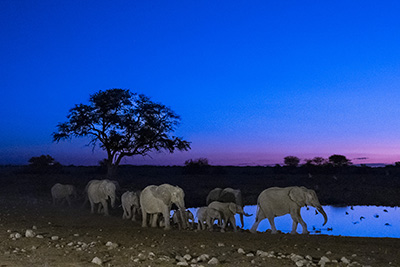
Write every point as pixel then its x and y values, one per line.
pixel 226 195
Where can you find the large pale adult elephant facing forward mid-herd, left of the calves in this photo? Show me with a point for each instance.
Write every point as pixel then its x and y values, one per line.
pixel 159 199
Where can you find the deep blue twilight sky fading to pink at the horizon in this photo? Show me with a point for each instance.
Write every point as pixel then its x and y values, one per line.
pixel 253 81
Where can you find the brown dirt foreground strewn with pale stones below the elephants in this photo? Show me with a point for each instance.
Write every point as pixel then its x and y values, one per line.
pixel 74 237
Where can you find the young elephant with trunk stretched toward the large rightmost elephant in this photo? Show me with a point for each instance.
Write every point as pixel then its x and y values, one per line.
pixel 228 211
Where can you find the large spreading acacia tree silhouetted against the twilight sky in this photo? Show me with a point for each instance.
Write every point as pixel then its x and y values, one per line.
pixel 123 124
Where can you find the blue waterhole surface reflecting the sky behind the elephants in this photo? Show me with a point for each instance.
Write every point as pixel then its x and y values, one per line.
pixel 362 221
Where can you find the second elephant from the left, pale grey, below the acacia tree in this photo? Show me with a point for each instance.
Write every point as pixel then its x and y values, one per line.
pixel 98 192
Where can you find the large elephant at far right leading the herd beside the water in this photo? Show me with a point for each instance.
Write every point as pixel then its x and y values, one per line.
pixel 277 201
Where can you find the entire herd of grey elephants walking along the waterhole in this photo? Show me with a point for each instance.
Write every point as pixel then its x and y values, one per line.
pixel 154 204
